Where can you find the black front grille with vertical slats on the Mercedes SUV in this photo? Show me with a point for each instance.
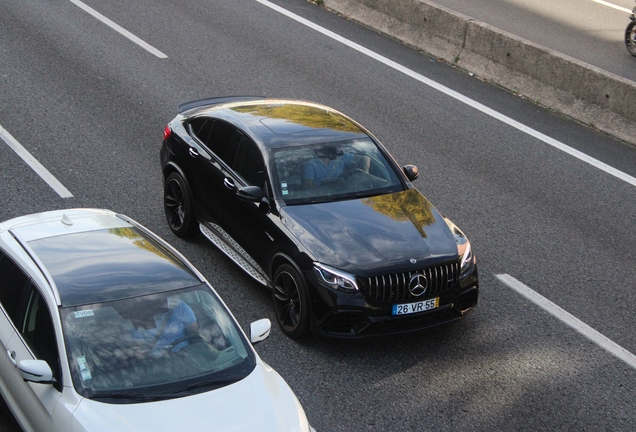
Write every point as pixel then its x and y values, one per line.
pixel 395 287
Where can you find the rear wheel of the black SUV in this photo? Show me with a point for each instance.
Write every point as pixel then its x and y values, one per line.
pixel 178 206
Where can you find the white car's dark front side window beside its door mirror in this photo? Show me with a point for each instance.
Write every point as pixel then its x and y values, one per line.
pixel 38 331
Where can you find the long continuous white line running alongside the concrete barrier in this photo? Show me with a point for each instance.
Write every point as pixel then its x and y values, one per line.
pixel 452 93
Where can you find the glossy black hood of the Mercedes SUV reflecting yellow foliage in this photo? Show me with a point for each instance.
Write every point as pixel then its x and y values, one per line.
pixel 368 235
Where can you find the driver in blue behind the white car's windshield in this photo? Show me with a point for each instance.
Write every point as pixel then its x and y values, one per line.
pixel 164 324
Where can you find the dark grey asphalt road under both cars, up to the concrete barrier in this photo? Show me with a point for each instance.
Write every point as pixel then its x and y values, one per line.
pixel 90 105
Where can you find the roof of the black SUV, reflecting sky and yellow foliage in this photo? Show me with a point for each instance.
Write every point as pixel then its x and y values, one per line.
pixel 279 122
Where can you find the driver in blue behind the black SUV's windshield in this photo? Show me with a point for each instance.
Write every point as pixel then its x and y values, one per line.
pixel 329 165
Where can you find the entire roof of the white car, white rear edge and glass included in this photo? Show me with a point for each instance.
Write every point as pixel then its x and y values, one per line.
pixel 92 256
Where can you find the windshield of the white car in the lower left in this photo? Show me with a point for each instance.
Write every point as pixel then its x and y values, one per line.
pixel 155 346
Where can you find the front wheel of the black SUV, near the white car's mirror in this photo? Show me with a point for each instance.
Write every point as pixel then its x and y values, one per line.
pixel 291 301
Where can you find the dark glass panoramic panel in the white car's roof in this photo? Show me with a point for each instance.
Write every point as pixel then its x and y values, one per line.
pixel 108 264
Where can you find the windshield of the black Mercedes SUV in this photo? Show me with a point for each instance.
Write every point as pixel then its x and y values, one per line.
pixel 333 171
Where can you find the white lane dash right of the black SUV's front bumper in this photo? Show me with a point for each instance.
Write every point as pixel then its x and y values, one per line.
pixel 570 320
